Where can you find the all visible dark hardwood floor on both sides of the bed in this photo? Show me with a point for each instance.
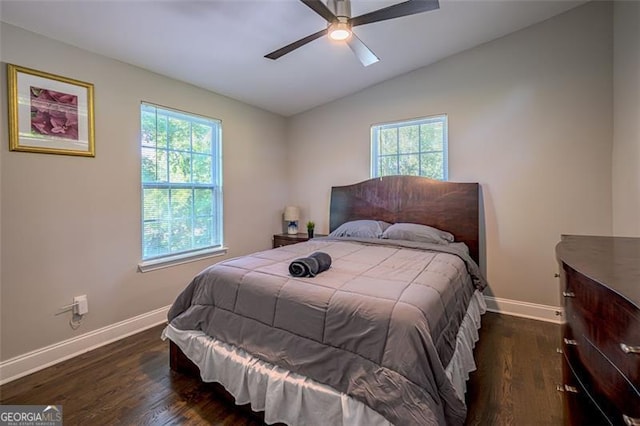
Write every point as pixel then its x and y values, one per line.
pixel 129 382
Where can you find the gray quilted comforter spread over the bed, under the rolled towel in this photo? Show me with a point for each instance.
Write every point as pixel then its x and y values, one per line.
pixel 380 325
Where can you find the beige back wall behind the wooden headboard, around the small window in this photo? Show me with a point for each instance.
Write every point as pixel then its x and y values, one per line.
pixel 530 118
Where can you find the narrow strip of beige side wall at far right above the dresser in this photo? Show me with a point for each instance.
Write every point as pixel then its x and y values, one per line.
pixel 626 134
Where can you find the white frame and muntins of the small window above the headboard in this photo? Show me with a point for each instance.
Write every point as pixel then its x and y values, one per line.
pixel 375 143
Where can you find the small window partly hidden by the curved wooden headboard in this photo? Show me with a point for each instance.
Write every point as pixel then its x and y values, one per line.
pixel 416 147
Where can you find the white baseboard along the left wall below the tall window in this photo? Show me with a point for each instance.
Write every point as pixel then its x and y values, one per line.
pixel 39 359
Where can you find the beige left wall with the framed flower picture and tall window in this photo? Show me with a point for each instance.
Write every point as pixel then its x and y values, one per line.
pixel 71 225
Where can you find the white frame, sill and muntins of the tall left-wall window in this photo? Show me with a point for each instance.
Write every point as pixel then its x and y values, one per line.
pixel 176 258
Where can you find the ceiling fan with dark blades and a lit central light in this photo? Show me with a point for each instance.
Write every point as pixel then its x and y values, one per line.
pixel 337 13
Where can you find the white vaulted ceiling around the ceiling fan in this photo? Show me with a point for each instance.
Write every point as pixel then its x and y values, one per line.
pixel 219 44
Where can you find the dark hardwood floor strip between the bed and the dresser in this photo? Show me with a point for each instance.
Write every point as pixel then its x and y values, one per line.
pixel 518 370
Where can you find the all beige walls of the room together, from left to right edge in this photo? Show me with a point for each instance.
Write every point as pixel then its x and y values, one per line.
pixel 530 118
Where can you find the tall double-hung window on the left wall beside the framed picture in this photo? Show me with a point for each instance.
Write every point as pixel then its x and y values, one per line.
pixel 181 183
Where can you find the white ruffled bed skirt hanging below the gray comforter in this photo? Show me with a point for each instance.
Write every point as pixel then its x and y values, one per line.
pixel 293 399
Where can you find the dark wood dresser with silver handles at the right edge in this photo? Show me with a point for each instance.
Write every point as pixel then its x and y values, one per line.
pixel 600 284
